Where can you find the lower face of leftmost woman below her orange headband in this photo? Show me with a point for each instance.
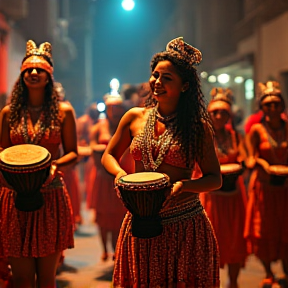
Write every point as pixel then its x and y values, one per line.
pixel 35 78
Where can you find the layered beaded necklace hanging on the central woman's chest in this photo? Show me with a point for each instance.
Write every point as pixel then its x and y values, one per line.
pixel 150 143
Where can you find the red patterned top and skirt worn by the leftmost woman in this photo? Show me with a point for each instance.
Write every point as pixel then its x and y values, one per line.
pixel 44 231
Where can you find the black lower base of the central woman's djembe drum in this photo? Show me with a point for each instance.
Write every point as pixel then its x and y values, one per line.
pixel 146 227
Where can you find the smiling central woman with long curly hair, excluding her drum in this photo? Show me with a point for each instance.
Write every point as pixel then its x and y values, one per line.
pixel 162 138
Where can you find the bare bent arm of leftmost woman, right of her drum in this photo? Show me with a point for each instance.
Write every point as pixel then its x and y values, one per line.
pixel 68 135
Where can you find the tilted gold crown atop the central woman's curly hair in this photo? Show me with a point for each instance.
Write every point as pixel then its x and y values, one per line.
pixel 186 52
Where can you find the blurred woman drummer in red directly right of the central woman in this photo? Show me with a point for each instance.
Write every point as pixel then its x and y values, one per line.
pixel 226 210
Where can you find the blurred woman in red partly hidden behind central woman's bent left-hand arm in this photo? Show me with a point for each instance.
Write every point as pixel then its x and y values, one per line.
pixel 110 211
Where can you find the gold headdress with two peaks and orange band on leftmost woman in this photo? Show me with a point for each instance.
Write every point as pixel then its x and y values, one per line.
pixel 34 57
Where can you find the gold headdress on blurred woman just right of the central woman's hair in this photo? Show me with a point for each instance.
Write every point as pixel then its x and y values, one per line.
pixel 222 98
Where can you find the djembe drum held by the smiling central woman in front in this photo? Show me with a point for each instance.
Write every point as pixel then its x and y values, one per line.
pixel 143 194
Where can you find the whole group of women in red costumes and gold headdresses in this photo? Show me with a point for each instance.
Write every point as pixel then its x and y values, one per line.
pixel 206 222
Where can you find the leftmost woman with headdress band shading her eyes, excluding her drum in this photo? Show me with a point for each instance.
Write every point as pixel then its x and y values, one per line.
pixel 33 241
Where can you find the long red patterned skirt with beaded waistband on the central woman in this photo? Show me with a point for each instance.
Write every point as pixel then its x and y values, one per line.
pixel 184 255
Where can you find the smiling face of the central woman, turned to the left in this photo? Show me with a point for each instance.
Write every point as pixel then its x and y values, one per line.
pixel 166 84
